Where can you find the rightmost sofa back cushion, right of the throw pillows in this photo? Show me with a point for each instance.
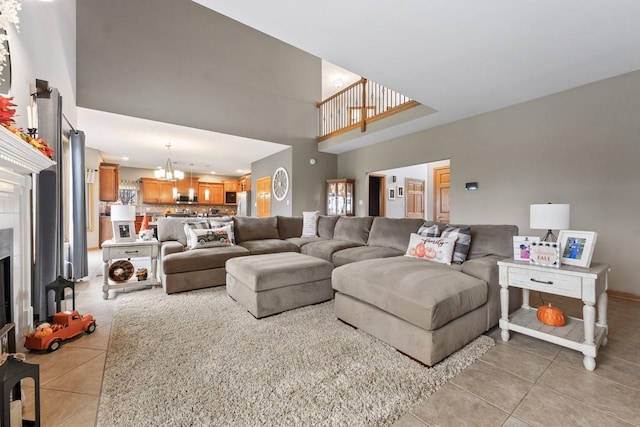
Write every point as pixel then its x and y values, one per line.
pixel 492 240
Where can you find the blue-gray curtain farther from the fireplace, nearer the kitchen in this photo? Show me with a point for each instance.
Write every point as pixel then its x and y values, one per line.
pixel 78 214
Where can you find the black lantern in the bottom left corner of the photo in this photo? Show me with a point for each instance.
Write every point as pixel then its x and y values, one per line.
pixel 12 371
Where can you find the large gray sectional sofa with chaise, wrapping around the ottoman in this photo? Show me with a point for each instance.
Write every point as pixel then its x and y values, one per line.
pixel 424 309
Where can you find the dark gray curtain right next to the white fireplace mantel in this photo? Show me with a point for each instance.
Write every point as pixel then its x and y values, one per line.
pixel 49 227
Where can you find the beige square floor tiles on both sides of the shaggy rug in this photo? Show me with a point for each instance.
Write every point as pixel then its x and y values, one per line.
pixel 524 382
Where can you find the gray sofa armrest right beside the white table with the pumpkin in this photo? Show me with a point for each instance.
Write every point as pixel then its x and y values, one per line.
pixel 486 268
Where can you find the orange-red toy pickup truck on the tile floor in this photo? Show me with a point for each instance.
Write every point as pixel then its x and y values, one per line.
pixel 66 324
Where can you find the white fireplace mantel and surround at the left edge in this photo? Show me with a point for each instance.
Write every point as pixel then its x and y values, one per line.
pixel 18 161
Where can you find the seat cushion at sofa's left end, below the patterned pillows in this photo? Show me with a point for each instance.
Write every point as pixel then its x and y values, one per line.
pixel 202 259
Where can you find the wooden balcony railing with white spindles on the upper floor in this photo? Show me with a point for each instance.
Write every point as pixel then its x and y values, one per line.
pixel 356 105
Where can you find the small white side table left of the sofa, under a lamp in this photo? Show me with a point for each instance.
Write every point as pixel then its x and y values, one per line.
pixel 126 250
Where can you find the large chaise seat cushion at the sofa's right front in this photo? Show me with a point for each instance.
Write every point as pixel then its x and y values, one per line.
pixel 425 294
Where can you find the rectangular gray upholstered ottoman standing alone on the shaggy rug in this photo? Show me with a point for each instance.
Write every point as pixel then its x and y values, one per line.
pixel 272 283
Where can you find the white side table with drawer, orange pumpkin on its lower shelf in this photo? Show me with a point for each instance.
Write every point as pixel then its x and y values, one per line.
pixel 588 284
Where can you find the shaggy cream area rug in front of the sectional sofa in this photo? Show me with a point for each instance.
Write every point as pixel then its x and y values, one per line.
pixel 199 359
